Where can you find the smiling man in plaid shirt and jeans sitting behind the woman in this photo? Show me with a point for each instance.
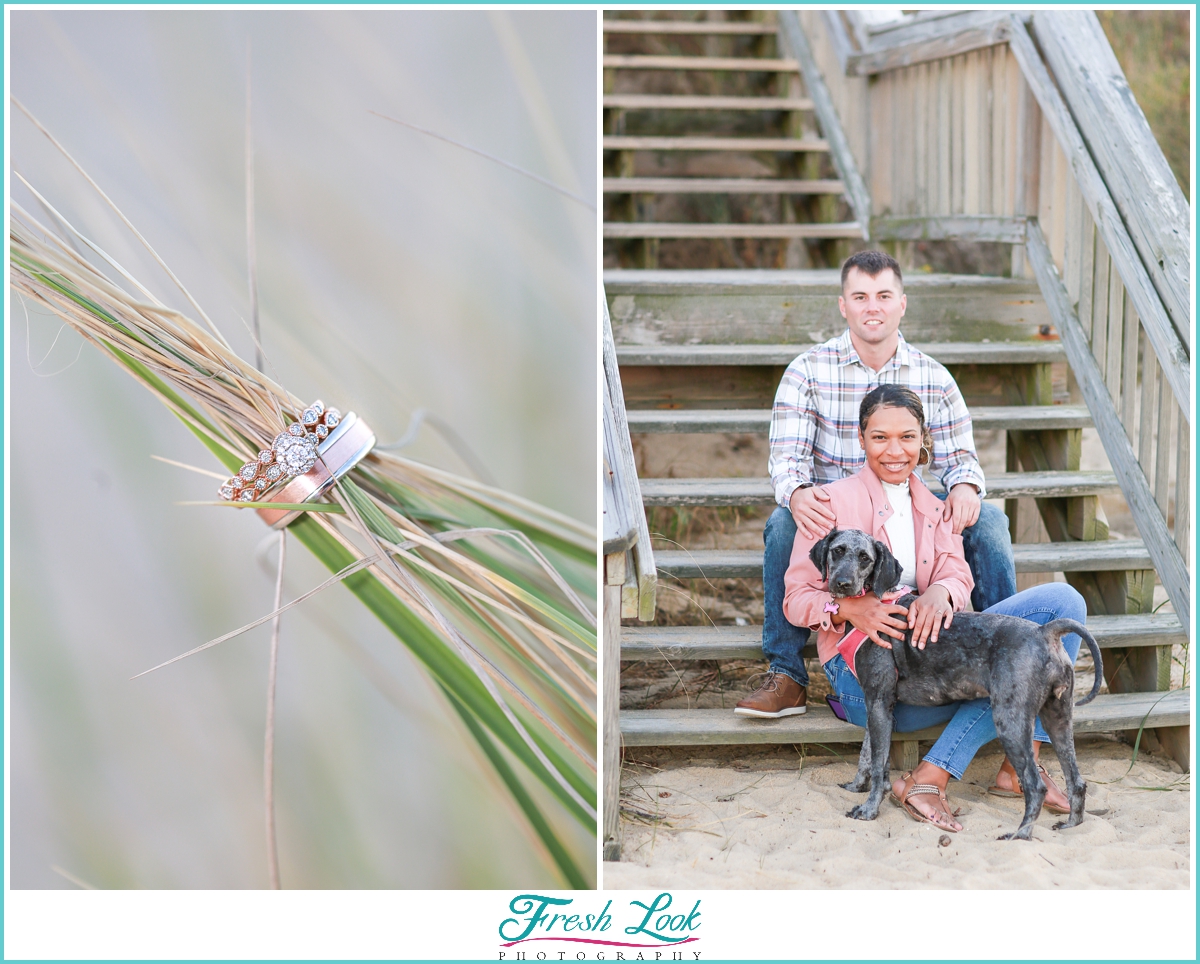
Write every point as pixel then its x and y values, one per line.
pixel 814 440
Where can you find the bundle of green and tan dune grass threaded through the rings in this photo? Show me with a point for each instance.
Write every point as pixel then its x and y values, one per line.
pixel 494 595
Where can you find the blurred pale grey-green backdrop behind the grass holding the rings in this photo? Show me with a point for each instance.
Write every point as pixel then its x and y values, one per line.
pixel 395 273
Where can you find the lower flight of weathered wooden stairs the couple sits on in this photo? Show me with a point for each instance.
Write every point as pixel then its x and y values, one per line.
pixel 704 352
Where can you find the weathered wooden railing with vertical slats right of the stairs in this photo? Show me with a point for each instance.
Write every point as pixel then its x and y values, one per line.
pixel 962 127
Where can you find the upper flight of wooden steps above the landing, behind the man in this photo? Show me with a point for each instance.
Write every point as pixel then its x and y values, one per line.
pixel 710 139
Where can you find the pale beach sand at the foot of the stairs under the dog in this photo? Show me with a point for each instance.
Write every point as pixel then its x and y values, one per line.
pixel 776 825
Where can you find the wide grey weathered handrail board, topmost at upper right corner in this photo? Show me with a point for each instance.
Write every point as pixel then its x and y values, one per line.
pixel 1125 151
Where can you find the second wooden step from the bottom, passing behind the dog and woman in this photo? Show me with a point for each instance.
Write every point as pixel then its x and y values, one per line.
pixel 689 643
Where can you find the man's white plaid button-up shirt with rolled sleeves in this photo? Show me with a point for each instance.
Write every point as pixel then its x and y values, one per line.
pixel 814 424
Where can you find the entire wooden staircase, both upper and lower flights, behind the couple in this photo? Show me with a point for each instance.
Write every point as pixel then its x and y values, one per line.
pixel 703 351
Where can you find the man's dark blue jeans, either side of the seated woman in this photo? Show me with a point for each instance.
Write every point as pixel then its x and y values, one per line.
pixel 987 547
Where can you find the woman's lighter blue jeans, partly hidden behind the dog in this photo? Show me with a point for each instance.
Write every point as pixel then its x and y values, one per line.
pixel 970 721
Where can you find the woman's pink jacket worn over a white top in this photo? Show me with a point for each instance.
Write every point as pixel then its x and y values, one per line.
pixel 859 504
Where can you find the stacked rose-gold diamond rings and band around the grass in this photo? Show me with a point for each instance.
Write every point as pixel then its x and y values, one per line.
pixel 303 463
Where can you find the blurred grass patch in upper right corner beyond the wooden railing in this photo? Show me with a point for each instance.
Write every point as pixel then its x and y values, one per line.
pixel 1155 51
